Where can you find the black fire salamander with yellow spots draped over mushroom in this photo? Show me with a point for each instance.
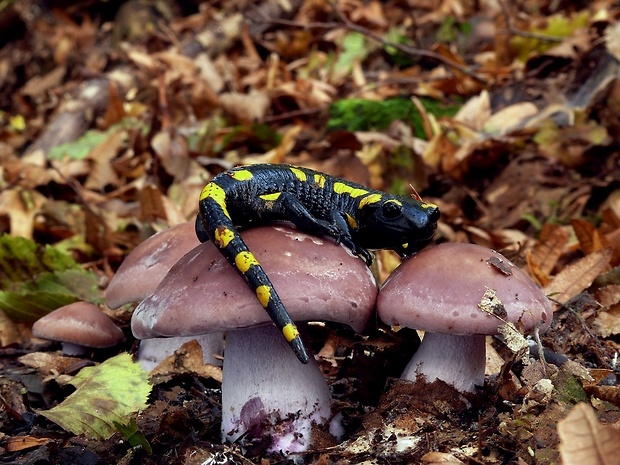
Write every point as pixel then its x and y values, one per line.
pixel 356 216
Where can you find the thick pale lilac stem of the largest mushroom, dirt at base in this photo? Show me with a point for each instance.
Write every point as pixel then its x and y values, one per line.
pixel 267 392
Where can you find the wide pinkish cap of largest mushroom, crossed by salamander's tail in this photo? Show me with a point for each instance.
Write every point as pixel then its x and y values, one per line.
pixel 315 278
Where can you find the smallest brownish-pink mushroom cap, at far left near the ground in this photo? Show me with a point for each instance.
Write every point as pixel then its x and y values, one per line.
pixel 80 323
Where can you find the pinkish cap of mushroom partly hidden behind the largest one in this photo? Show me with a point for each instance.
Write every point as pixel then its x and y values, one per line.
pixel 147 264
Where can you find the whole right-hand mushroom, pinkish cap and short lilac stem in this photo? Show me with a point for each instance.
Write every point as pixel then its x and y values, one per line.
pixel 441 290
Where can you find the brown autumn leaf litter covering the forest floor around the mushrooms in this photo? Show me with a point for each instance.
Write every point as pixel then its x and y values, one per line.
pixel 112 118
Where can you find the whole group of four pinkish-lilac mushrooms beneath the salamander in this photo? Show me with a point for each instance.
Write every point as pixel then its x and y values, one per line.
pixel 456 293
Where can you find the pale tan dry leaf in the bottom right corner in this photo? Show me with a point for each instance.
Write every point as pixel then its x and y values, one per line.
pixel 585 441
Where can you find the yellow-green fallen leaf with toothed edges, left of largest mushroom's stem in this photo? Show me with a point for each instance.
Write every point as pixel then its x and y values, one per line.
pixel 106 394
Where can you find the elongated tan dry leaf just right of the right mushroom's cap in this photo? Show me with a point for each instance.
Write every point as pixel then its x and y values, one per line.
pixel 578 276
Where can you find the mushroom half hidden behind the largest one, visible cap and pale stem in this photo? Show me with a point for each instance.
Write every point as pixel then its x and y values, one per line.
pixel 138 276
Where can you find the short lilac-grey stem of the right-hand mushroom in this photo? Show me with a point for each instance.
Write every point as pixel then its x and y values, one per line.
pixel 457 360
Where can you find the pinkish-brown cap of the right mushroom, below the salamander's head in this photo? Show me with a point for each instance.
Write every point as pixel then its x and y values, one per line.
pixel 439 290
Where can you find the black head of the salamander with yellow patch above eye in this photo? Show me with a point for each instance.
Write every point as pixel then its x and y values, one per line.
pixel 403 224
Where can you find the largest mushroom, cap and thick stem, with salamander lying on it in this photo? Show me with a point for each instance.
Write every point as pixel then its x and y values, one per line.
pixel 265 390
